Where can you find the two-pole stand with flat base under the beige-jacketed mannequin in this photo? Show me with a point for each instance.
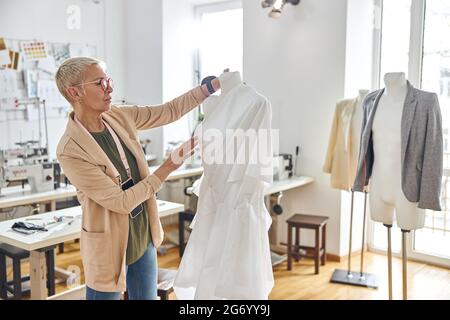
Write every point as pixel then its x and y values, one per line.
pixel 355 278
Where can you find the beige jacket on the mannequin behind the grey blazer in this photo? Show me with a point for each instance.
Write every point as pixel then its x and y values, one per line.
pixel 340 160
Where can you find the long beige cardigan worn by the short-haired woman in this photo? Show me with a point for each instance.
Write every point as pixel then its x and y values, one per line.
pixel 105 205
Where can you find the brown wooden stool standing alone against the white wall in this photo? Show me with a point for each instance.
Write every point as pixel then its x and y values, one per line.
pixel 317 223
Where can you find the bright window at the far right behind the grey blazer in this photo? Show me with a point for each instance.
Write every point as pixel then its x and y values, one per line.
pixel 434 239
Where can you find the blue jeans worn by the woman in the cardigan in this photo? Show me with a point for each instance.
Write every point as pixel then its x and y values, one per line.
pixel 142 277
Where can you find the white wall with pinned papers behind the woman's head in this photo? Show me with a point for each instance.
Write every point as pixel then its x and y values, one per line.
pixel 45 20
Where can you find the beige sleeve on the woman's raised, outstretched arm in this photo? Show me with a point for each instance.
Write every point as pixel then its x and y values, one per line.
pixel 146 117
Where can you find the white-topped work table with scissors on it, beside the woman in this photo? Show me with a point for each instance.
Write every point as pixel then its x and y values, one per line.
pixel 56 233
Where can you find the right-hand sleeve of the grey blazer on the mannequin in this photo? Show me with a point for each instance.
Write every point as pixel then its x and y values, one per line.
pixel 432 166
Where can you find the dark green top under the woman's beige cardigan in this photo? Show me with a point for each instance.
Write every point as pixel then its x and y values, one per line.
pixel 139 230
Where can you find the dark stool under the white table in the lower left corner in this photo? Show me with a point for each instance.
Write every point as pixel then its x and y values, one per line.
pixel 17 254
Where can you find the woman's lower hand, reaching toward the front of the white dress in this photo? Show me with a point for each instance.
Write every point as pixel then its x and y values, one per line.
pixel 176 158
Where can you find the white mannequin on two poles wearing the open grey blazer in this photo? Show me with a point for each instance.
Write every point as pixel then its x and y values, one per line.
pixel 385 185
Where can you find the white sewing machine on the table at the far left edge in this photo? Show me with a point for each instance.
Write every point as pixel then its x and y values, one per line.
pixel 29 164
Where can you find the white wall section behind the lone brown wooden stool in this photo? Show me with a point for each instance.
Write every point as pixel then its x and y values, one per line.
pixel 298 63
